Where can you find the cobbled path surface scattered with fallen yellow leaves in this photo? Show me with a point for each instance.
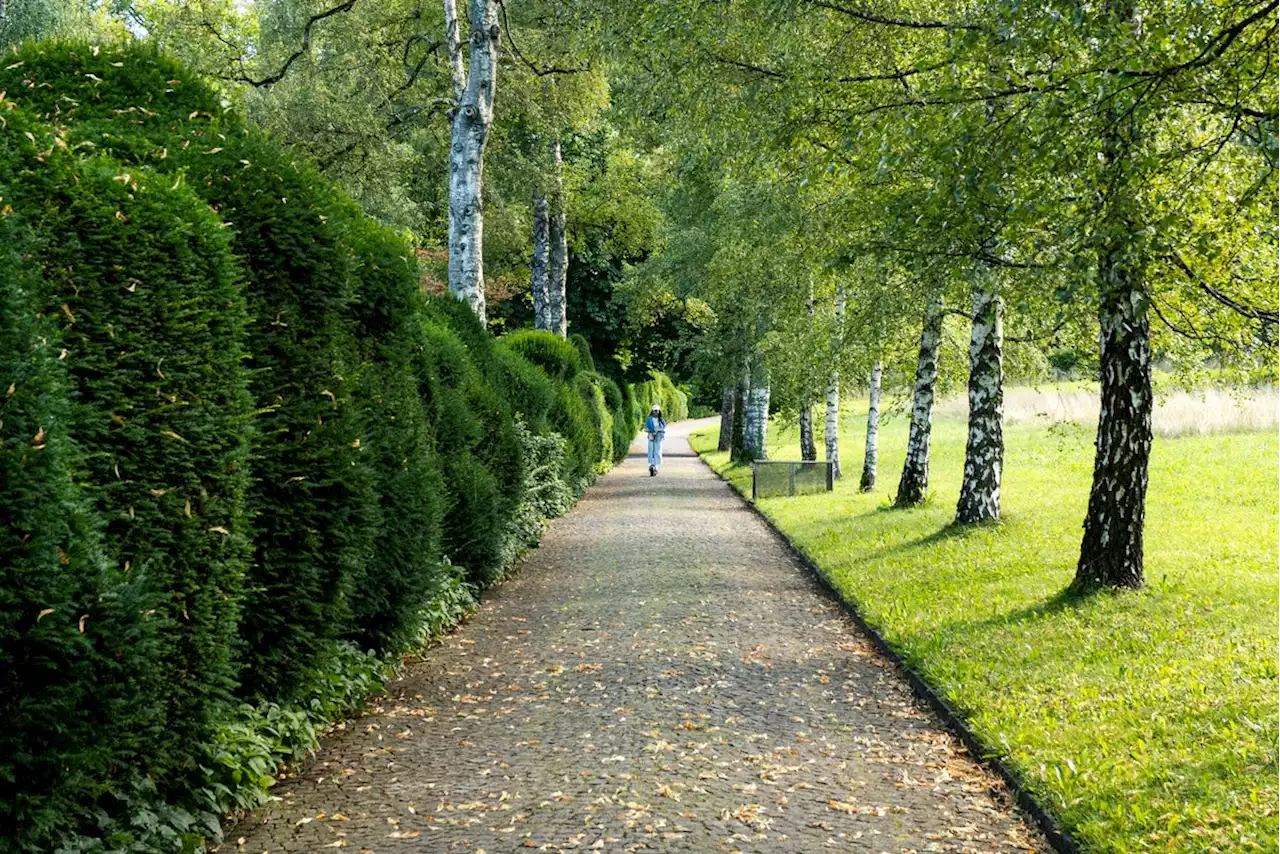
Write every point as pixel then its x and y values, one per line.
pixel 660 675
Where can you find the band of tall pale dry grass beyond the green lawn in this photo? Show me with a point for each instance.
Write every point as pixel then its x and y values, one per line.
pixel 1204 413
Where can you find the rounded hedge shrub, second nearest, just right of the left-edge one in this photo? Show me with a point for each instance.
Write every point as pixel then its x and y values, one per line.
pixel 153 321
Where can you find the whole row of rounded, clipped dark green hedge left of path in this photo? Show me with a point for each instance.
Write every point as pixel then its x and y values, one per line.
pixel 239 447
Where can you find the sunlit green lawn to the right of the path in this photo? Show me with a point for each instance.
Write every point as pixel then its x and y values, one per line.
pixel 1145 721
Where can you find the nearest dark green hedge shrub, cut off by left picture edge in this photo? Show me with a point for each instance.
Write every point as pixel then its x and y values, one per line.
pixel 79 655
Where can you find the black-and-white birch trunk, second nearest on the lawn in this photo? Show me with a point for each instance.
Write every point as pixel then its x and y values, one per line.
pixel 985 451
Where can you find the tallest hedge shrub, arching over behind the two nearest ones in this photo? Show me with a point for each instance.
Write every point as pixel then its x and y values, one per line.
pixel 313 495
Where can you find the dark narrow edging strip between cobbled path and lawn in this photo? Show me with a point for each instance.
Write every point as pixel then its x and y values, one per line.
pixel 982 753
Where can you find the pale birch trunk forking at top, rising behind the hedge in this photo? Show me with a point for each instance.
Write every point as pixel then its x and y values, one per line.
pixel 473 120
